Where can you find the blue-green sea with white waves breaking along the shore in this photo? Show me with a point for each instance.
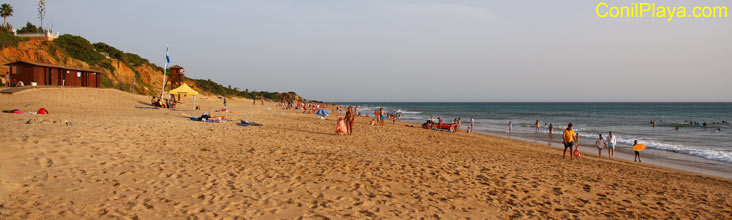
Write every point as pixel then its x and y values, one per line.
pixel 629 122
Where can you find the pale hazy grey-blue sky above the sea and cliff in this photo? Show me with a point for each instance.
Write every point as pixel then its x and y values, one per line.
pixel 416 51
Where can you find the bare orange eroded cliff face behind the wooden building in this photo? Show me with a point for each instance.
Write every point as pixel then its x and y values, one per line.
pixel 149 81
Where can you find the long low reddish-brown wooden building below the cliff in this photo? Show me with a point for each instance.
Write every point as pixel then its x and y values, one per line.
pixel 48 74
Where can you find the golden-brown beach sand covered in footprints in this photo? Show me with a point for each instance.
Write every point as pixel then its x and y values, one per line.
pixel 118 161
